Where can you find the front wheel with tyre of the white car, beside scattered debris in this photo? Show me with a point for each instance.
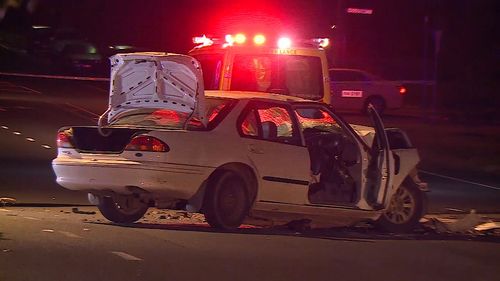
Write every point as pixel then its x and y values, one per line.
pixel 404 211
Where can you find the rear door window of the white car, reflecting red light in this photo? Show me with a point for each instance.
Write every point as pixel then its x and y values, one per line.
pixel 269 122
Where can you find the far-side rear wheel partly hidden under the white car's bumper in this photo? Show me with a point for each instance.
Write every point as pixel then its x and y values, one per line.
pixel 122 209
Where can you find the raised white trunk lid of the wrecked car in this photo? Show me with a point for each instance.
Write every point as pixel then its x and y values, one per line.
pixel 155 80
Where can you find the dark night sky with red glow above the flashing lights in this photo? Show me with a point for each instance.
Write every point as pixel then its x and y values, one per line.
pixel 396 41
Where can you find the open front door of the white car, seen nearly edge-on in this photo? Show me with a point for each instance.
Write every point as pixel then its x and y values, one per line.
pixel 380 172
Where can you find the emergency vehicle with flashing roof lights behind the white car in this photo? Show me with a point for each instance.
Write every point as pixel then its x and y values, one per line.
pixel 290 67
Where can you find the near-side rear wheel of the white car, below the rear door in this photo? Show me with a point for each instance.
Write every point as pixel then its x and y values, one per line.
pixel 226 200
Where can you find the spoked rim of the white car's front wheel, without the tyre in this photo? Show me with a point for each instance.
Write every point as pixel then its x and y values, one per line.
pixel 402 206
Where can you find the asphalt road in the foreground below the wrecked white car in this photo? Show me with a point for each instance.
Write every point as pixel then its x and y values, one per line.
pixel 57 244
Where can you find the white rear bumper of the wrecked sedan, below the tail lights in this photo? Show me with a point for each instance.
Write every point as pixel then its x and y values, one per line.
pixel 173 180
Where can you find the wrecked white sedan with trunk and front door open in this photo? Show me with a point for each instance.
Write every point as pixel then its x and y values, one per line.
pixel 234 156
